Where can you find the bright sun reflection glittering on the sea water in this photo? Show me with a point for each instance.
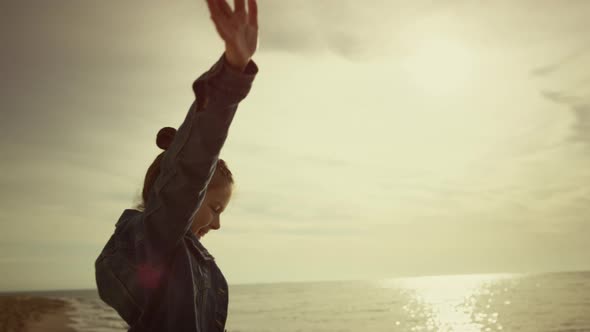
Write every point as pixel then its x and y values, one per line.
pixel 449 303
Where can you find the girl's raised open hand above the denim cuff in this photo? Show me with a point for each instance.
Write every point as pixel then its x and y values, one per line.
pixel 237 28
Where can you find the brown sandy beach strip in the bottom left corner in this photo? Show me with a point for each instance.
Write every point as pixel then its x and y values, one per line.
pixel 33 314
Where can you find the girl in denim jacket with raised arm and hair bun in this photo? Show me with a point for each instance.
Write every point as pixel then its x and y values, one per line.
pixel 153 270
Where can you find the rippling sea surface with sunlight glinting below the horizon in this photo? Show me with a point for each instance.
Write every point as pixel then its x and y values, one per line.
pixel 466 303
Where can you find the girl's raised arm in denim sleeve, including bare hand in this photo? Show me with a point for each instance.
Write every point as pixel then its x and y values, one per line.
pixel 189 162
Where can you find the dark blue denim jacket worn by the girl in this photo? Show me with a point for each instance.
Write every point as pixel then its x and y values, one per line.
pixel 153 270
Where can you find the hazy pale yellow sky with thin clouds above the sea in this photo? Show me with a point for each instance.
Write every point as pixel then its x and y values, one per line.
pixel 380 139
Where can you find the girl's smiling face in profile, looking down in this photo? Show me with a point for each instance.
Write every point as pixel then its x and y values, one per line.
pixel 208 216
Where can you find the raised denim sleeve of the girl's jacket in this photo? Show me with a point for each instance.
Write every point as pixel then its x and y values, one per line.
pixel 189 162
